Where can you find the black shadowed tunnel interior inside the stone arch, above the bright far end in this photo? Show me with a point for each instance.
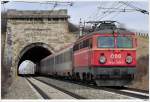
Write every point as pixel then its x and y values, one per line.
pixel 34 54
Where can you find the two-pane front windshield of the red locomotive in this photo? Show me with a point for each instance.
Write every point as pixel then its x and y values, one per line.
pixel 109 42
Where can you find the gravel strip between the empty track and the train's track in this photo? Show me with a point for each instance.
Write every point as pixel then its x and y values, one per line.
pixel 84 91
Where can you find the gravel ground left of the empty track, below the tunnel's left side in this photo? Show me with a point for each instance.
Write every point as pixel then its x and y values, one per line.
pixel 20 89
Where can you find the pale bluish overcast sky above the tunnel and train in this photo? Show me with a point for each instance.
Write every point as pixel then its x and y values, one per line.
pixel 88 10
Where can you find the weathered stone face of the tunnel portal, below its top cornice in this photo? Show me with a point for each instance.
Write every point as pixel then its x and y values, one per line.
pixel 25 32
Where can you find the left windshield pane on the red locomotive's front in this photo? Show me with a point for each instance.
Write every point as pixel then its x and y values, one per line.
pixel 106 42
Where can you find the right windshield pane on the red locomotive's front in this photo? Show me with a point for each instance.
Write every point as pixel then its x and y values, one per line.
pixel 124 42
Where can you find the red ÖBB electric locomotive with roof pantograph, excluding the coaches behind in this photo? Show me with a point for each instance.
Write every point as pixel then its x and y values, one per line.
pixel 107 56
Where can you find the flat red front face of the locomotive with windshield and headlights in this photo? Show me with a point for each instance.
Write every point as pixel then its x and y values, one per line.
pixel 114 58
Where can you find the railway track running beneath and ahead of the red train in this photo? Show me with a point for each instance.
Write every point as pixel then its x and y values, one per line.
pixel 131 92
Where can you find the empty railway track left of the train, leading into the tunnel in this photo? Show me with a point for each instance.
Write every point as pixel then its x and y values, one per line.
pixel 45 95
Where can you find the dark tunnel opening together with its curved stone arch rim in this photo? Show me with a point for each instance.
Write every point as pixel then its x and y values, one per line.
pixel 34 52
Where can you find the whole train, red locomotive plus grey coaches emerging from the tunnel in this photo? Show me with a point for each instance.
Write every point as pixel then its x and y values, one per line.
pixel 106 56
